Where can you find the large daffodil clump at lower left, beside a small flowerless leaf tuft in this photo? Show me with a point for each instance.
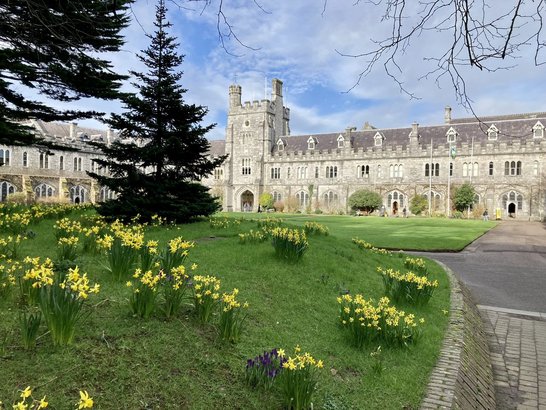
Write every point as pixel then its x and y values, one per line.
pixel 61 301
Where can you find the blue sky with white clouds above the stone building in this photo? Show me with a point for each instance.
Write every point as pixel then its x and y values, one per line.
pixel 300 42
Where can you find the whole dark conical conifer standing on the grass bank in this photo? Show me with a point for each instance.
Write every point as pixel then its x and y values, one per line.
pixel 157 172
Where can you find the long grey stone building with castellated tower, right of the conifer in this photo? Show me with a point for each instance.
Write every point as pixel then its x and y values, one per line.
pixel 501 156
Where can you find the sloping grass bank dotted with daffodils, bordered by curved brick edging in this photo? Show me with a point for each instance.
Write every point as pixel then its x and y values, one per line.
pixel 126 362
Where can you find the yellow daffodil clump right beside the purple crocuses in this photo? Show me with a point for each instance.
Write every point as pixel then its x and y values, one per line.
pixel 298 379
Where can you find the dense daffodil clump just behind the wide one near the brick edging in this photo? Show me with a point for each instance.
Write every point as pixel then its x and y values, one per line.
pixel 407 286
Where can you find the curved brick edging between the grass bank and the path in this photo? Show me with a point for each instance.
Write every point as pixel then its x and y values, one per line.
pixel 463 376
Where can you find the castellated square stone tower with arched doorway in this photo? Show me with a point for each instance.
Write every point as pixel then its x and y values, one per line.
pixel 252 130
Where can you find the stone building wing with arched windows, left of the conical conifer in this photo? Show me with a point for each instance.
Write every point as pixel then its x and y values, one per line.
pixel 58 174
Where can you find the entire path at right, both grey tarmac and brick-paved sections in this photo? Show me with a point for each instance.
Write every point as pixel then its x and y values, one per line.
pixel 506 272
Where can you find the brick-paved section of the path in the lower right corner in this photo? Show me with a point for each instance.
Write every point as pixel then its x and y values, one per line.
pixel 517 342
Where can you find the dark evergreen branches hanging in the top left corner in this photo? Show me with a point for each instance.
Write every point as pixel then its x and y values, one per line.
pixel 52 47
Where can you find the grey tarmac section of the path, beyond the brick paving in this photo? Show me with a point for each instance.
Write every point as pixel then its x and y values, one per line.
pixel 506 267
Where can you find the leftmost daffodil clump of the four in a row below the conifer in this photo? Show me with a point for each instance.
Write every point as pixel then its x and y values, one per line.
pixel 145 287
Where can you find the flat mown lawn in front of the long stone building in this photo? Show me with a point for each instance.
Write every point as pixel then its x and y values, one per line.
pixel 428 234
